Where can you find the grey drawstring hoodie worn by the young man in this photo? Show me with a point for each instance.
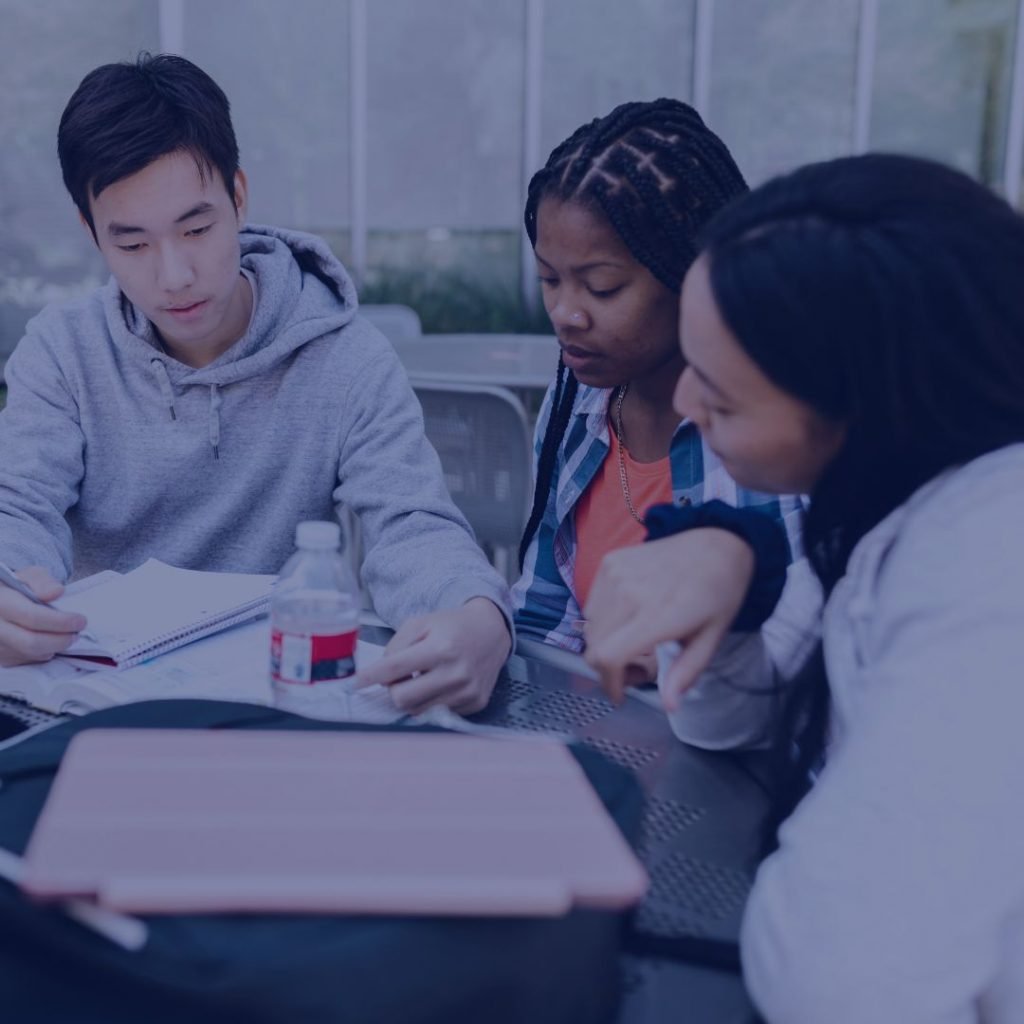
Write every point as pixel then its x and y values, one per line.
pixel 113 452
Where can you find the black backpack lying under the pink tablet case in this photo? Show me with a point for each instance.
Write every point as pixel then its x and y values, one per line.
pixel 260 969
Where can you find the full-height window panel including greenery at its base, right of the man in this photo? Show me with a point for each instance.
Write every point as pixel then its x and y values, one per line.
pixel 445 159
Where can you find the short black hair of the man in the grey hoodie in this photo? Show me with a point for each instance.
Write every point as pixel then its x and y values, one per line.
pixel 125 116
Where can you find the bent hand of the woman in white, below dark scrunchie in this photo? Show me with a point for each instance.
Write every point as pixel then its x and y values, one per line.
pixel 687 588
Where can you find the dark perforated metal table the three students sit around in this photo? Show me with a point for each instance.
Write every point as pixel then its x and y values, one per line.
pixel 699 837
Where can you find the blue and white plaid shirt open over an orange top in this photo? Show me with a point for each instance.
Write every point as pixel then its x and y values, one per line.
pixel 544 600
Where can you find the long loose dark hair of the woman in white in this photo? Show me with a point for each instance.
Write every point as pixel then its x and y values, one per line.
pixel 886 292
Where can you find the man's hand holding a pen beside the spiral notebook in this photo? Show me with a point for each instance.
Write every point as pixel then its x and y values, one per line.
pixel 32 632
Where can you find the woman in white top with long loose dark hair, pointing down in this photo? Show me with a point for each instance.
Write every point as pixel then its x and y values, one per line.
pixel 856 331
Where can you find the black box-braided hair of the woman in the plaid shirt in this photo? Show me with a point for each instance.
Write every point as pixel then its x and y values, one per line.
pixel 658 175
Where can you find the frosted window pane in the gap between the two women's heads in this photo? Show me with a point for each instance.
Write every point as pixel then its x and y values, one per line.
pixel 783 81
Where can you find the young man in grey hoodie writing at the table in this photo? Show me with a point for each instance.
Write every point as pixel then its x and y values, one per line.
pixel 219 391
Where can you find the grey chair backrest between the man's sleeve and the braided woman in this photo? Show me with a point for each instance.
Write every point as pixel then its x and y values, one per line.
pixel 486 447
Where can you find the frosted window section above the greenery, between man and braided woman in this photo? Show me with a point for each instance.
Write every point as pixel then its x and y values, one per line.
pixel 446 114
